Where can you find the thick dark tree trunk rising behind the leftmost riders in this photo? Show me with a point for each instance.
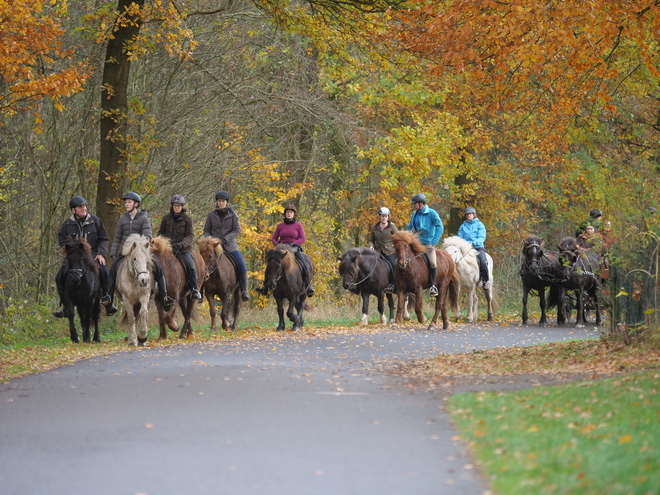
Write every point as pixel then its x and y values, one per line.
pixel 114 109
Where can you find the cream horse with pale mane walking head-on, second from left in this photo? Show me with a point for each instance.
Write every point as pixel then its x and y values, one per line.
pixel 135 286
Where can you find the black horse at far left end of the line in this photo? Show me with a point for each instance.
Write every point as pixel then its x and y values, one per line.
pixel 82 289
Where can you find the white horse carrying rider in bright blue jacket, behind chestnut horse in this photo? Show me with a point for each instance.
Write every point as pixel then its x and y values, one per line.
pixel 467 266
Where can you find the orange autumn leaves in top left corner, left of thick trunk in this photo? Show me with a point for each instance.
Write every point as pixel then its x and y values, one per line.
pixel 31 43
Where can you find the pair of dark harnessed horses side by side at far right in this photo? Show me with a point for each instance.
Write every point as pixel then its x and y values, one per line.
pixel 570 274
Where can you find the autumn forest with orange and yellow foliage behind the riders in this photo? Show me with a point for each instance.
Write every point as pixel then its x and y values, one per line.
pixel 532 112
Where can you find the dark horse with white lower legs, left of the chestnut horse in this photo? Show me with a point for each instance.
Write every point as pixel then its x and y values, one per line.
pixel 365 272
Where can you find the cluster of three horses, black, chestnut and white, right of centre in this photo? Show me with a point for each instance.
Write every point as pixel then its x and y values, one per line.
pixel 366 273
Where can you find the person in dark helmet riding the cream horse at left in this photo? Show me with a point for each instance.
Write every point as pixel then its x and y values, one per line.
pixel 135 221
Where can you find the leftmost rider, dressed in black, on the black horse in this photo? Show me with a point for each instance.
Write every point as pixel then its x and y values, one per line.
pixel 82 225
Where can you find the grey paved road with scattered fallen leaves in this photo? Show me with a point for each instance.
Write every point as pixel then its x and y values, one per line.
pixel 310 413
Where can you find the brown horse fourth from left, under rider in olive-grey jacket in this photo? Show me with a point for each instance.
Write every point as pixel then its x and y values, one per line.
pixel 220 281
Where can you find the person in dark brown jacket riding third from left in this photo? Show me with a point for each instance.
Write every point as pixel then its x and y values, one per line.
pixel 177 227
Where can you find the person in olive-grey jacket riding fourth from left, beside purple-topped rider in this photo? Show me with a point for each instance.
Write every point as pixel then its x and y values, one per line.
pixel 223 223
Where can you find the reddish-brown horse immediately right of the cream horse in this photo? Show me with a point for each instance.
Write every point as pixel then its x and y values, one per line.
pixel 177 288
